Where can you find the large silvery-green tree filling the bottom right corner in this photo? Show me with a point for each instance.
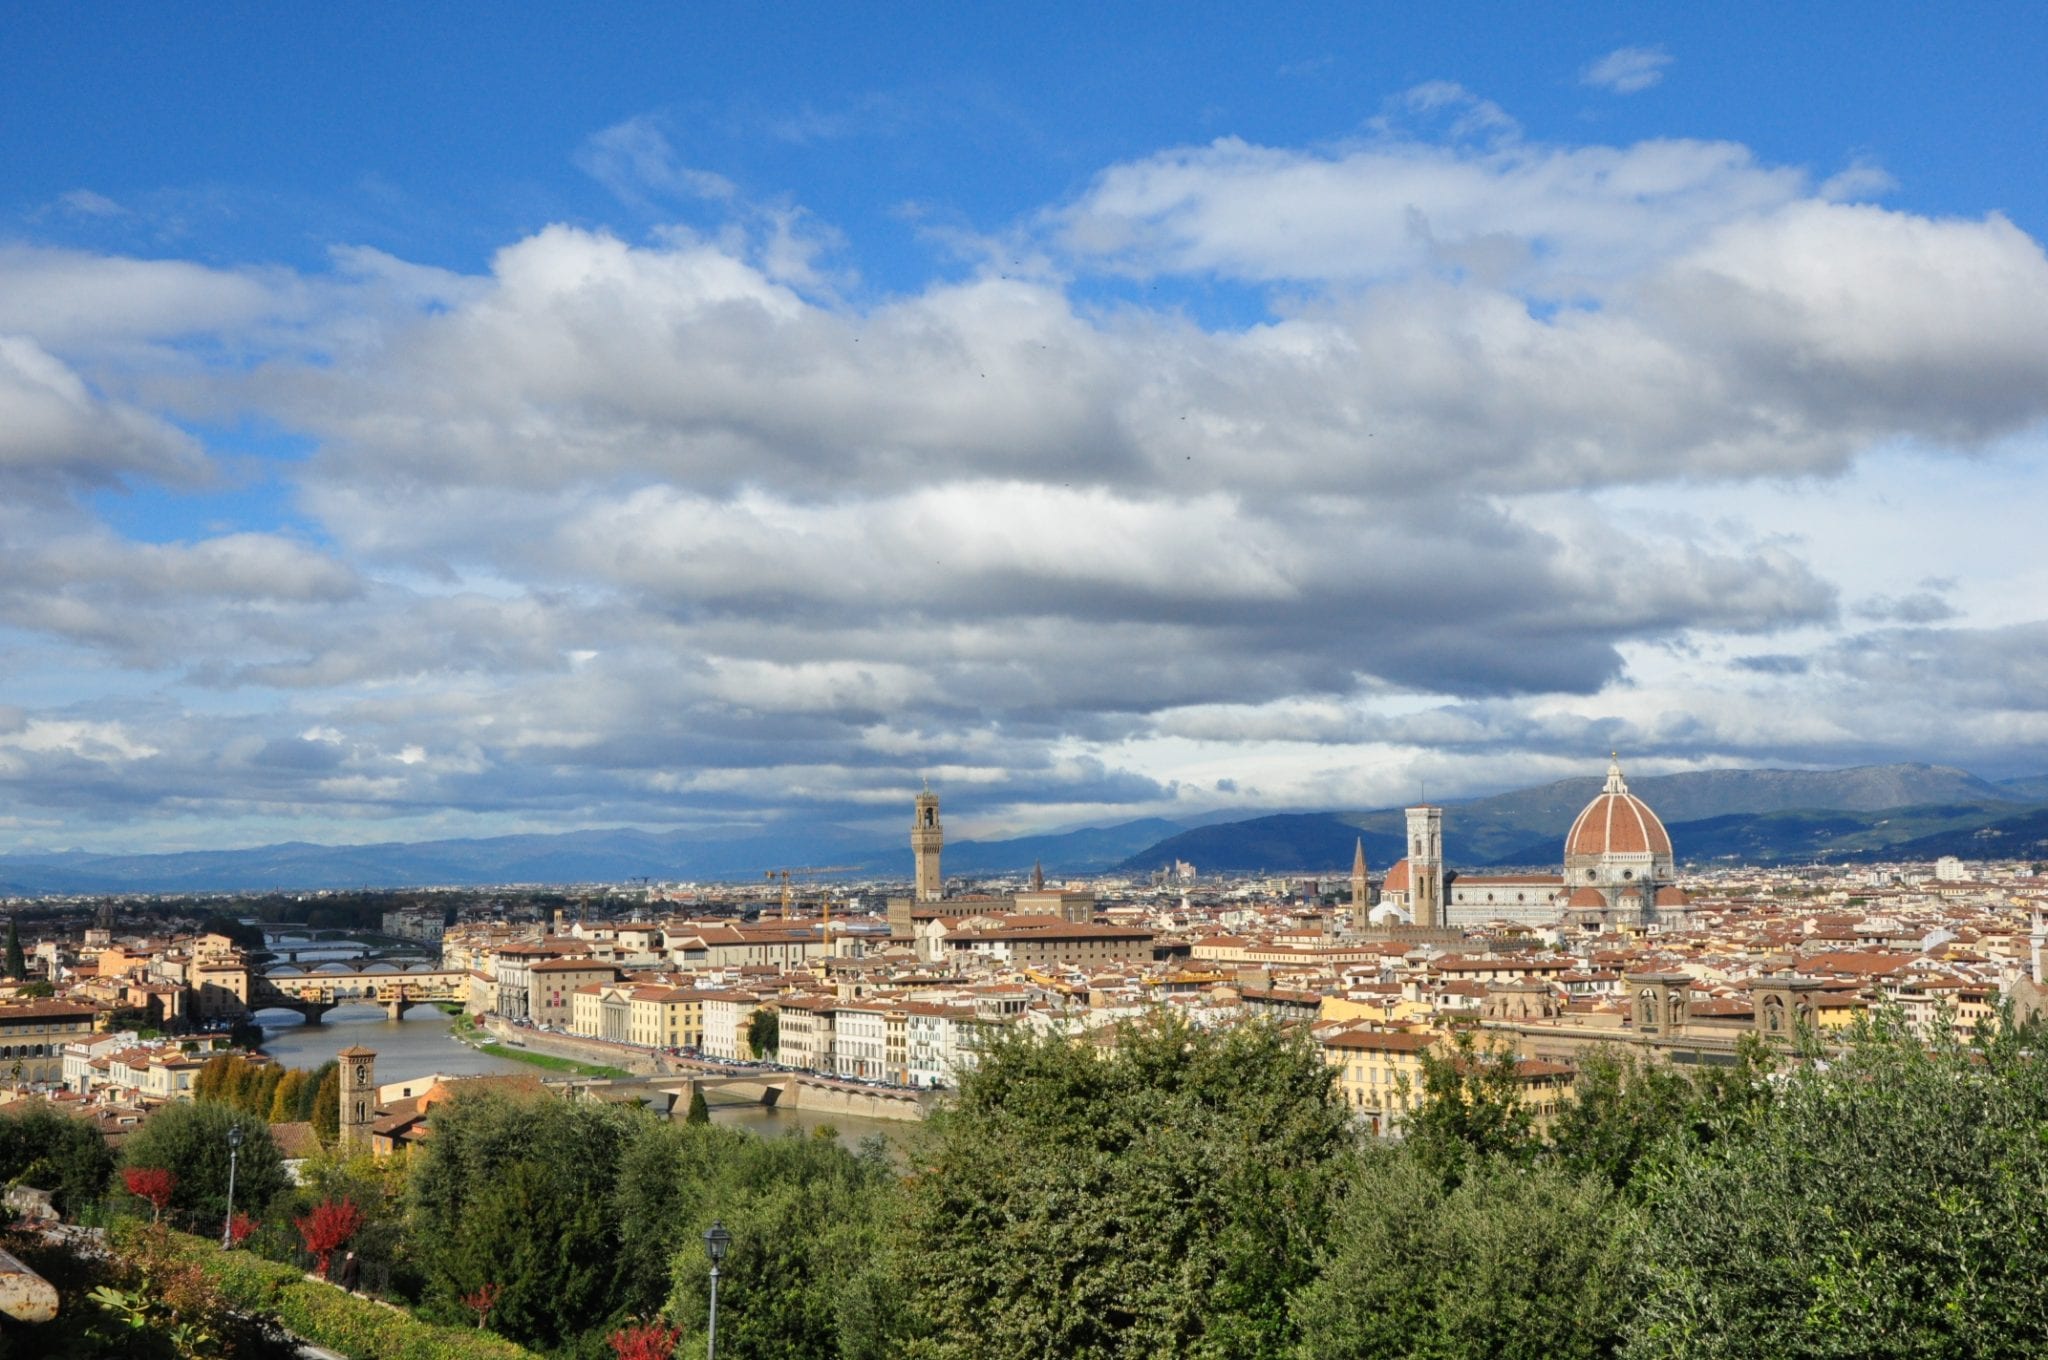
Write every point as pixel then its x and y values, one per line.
pixel 1885 1203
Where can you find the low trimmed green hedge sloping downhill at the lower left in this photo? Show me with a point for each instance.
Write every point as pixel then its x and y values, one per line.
pixel 333 1318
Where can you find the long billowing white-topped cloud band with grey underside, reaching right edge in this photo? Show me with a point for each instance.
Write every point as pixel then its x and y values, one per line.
pixel 589 362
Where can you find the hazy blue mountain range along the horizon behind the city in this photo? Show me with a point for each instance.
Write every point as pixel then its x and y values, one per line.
pixel 1752 816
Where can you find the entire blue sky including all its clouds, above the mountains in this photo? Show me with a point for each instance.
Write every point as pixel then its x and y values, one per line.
pixel 464 419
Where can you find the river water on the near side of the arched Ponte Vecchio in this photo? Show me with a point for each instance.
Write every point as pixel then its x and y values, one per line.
pixel 423 1044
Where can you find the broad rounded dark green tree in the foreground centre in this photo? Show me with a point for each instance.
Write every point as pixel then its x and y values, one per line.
pixel 1160 1201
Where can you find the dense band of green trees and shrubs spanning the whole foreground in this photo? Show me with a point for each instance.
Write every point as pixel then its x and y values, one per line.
pixel 1203 1195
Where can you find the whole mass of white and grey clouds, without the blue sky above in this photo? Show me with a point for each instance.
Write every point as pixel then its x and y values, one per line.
pixel 675 532
